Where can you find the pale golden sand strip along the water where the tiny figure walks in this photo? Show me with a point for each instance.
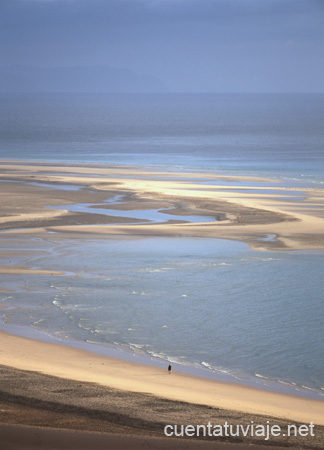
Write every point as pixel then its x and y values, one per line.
pixel 80 365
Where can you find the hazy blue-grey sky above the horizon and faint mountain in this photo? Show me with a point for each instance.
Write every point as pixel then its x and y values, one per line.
pixel 191 45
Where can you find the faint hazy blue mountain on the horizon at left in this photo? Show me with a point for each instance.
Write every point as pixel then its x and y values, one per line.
pixel 75 79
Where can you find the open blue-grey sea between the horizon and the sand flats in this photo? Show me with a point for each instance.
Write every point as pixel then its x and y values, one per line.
pixel 277 135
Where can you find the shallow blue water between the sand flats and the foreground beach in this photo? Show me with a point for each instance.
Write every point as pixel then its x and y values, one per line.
pixel 203 303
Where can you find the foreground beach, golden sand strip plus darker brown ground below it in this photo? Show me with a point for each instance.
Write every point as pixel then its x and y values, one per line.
pixel 84 391
